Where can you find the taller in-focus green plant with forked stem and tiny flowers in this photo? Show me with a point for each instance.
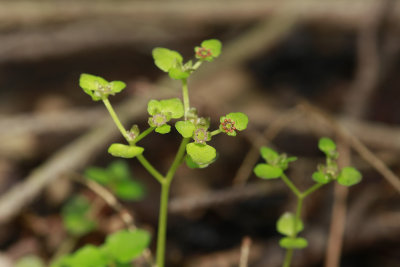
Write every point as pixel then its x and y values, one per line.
pixel 194 148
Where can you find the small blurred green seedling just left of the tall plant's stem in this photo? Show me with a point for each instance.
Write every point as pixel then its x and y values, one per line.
pixel 118 178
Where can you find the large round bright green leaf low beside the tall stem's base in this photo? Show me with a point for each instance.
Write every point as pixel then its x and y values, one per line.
pixel 124 246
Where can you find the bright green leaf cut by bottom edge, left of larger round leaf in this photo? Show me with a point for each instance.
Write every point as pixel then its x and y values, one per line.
pixel 88 256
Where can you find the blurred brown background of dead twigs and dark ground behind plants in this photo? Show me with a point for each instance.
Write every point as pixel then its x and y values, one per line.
pixel 299 69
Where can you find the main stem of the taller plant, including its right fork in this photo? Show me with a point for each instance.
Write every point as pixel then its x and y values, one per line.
pixel 163 216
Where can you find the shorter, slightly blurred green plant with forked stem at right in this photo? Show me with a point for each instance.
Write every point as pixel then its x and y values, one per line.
pixel 290 224
